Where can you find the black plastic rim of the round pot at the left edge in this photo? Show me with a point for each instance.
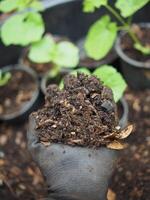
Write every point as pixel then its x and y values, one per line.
pixel 30 104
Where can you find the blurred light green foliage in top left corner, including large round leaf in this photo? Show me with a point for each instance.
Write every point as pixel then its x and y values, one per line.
pixel 23 27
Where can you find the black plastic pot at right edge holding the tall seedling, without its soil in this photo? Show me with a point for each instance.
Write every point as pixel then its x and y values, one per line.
pixel 136 73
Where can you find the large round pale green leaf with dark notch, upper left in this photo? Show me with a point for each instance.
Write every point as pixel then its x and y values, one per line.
pixel 22 29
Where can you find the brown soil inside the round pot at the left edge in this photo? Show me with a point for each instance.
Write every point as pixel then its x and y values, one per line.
pixel 16 93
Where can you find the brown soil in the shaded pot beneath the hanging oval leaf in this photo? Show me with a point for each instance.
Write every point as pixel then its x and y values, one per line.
pixel 91 63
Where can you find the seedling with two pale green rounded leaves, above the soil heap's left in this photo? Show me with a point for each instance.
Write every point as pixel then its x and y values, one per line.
pixel 61 54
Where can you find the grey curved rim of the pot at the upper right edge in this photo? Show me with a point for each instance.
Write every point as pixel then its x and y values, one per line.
pixel 126 58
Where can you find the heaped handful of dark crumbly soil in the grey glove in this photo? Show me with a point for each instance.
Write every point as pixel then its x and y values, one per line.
pixel 83 113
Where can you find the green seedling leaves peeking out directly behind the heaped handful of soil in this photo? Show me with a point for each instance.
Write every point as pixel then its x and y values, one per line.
pixel 108 75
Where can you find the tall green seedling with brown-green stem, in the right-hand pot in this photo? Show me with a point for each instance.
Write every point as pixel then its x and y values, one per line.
pixel 102 34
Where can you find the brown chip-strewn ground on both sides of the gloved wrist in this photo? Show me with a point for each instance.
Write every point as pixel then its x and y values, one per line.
pixel 20 178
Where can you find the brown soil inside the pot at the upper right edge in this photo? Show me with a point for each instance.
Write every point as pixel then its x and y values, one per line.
pixel 143 35
